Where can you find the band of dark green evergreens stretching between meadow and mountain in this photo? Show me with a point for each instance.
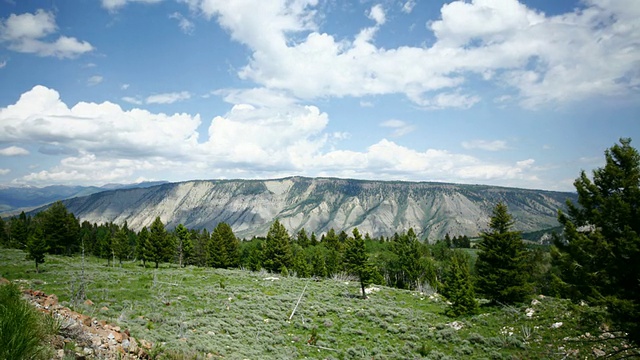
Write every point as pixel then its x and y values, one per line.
pixel 594 259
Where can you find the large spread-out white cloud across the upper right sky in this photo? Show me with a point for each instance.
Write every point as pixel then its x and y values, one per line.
pixel 591 51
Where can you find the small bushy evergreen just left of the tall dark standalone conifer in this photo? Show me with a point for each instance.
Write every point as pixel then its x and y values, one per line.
pixel 459 286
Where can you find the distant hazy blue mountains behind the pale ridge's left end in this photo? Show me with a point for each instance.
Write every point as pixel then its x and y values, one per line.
pixel 14 199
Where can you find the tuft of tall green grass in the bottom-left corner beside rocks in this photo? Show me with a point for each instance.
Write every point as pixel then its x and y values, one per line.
pixel 23 331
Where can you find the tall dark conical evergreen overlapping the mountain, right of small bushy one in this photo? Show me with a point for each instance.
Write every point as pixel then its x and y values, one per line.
pixel 501 263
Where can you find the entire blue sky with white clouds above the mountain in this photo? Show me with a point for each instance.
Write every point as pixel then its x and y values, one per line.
pixel 499 92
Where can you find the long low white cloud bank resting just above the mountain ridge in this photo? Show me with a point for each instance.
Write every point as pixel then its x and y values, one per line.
pixel 101 143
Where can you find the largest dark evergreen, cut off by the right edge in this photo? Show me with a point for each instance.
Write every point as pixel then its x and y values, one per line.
pixel 598 257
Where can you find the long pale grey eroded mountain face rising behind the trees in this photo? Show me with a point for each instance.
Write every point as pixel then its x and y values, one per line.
pixel 374 207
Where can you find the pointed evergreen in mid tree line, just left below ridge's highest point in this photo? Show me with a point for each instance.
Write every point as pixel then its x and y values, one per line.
pixel 277 248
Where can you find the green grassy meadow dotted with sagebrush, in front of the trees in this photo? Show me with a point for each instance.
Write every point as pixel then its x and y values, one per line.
pixel 235 314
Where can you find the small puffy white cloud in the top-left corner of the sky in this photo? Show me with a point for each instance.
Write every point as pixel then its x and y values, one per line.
pixel 27 33
